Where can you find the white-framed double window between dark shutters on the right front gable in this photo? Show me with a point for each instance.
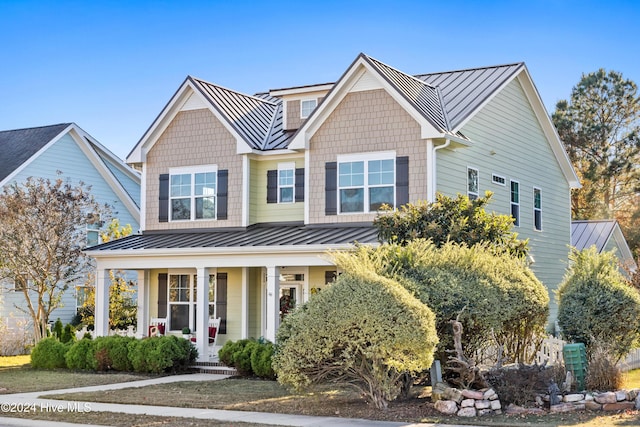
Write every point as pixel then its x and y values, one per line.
pixel 365 185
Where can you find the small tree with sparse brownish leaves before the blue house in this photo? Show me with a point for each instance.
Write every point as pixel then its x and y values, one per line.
pixel 42 235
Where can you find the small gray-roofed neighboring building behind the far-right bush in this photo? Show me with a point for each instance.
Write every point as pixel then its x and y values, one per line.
pixel 605 235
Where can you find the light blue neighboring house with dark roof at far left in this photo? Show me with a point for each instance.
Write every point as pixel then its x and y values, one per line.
pixel 43 151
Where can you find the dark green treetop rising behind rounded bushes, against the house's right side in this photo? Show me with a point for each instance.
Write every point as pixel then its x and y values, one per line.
pixel 458 220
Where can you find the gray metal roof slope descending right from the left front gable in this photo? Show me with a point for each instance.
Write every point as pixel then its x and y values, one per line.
pixel 258 119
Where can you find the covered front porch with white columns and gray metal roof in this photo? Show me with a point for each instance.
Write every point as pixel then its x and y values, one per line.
pixel 249 286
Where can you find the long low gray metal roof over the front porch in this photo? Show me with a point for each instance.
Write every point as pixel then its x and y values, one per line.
pixel 254 236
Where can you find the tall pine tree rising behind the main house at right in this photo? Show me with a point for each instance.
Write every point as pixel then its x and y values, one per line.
pixel 600 128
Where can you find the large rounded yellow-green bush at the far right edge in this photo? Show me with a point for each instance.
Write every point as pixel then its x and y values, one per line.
pixel 595 304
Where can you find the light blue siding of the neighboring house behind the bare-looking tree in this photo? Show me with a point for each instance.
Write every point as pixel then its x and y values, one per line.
pixel 67 157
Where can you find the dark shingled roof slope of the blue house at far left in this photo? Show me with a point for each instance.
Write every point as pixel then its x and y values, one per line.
pixel 17 146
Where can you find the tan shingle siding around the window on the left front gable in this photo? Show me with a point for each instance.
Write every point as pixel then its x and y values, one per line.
pixel 193 138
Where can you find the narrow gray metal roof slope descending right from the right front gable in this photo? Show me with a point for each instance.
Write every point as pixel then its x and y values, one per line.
pixel 423 96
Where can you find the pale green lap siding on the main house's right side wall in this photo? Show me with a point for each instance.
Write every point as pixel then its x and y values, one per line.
pixel 508 141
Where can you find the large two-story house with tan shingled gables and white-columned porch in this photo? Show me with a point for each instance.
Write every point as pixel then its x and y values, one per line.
pixel 243 195
